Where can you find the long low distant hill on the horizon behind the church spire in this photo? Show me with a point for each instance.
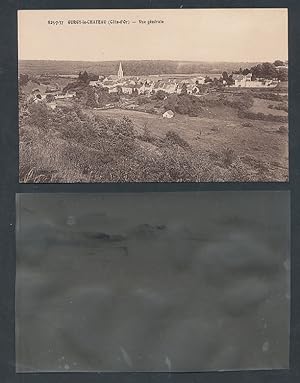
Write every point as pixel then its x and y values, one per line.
pixel 131 68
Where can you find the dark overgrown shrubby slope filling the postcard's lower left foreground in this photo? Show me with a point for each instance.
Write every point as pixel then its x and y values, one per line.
pixel 74 146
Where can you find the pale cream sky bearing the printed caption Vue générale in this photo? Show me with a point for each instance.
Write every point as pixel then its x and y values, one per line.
pixel 236 35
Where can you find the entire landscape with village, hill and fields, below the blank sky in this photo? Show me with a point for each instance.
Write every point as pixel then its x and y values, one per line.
pixel 153 121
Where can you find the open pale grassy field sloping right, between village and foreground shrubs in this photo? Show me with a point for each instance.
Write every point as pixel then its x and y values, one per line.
pixel 260 144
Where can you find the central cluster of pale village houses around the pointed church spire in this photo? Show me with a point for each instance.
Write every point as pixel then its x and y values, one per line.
pixel 143 85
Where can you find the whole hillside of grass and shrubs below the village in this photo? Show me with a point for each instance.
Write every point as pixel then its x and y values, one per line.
pixel 75 143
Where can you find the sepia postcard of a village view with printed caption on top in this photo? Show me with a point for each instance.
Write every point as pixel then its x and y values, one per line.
pixel 164 95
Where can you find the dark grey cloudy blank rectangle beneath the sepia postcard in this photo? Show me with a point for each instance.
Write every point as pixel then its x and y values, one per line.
pixel 152 282
